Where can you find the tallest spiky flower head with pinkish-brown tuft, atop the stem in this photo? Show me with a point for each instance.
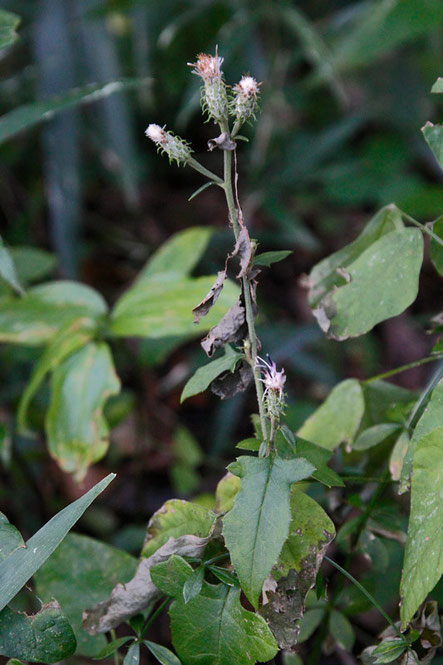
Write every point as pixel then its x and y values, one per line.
pixel 214 99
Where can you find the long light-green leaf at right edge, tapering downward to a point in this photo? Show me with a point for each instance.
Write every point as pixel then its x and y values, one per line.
pixel 423 563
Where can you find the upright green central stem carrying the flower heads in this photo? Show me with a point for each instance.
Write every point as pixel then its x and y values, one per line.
pixel 245 283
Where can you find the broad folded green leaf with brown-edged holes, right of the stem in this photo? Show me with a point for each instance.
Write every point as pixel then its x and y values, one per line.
pixel 372 279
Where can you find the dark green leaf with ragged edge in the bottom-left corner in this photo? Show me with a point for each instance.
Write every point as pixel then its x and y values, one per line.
pixel 45 637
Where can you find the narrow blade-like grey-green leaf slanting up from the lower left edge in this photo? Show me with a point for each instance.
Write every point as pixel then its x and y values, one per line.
pixel 20 566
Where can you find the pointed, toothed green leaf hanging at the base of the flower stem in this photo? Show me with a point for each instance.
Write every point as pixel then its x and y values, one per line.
pixel 258 524
